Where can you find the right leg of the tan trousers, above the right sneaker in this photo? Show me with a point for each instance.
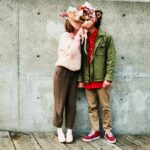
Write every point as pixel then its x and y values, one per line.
pixel 104 99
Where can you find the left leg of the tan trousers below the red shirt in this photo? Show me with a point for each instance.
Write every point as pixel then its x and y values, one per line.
pixel 93 109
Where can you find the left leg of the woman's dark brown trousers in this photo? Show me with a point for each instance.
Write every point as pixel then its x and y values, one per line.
pixel 61 83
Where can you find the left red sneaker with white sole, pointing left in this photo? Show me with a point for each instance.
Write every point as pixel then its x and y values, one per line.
pixel 92 136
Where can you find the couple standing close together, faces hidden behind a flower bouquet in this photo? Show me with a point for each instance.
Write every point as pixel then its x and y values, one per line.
pixel 87 64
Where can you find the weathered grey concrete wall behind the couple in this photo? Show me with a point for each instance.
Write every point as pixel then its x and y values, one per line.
pixel 29 35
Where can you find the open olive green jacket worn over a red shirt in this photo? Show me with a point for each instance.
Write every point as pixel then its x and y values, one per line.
pixel 103 60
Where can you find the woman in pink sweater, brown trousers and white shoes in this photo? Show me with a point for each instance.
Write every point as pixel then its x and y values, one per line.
pixel 65 79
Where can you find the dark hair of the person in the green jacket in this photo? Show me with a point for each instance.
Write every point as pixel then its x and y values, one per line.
pixel 98 14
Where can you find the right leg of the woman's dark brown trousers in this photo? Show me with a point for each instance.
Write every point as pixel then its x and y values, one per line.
pixel 70 110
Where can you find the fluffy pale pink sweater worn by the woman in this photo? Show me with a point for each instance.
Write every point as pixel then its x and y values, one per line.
pixel 69 55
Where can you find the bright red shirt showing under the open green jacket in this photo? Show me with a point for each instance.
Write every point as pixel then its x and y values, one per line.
pixel 91 43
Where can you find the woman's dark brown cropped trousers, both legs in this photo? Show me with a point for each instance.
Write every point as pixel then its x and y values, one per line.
pixel 65 89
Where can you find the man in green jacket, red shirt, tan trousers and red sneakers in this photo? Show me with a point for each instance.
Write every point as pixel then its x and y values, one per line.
pixel 96 76
